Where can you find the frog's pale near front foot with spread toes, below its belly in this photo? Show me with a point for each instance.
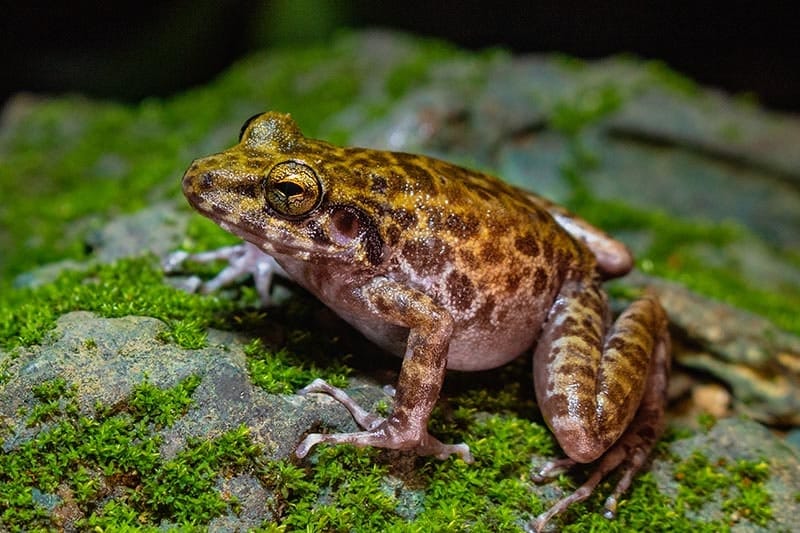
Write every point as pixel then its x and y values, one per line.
pixel 378 431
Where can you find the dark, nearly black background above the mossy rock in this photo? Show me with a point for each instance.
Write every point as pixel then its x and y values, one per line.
pixel 130 50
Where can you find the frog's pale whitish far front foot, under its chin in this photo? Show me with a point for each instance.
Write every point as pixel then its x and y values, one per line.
pixel 243 259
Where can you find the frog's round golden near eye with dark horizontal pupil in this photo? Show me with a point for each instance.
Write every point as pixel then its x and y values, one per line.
pixel 292 189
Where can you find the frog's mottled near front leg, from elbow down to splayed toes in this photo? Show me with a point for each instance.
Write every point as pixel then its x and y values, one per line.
pixel 419 384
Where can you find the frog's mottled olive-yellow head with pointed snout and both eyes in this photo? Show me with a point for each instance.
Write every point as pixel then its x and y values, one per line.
pixel 274 190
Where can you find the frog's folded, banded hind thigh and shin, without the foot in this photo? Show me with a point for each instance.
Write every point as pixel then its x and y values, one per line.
pixel 589 380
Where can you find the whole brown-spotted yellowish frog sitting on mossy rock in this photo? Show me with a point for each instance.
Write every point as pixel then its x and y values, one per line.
pixel 448 268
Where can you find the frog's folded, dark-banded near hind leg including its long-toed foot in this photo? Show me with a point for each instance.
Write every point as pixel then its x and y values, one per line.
pixel 601 390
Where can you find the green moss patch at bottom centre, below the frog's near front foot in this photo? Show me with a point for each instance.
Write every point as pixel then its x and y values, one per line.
pixel 347 487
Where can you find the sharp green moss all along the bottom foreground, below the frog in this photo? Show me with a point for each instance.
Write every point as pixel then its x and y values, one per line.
pixel 107 469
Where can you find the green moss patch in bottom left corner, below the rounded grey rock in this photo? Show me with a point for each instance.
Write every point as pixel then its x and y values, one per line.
pixel 78 455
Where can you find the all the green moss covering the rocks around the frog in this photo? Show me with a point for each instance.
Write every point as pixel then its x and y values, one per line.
pixel 108 159
